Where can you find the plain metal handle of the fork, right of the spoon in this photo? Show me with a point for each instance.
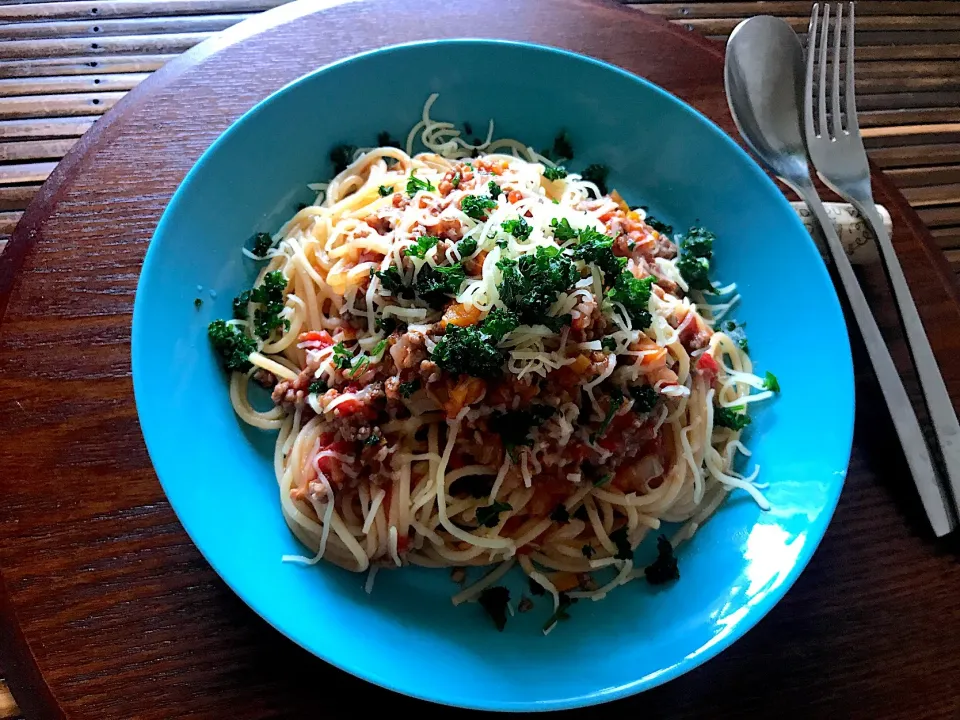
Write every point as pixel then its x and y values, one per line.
pixel 942 414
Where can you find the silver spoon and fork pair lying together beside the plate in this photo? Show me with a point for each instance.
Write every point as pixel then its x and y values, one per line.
pixel 793 112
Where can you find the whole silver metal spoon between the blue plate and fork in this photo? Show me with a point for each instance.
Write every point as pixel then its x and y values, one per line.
pixel 764 77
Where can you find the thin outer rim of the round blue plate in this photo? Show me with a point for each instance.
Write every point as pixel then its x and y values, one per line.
pixel 362 670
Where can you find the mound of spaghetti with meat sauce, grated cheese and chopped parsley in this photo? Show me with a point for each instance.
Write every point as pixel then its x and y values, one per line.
pixel 479 358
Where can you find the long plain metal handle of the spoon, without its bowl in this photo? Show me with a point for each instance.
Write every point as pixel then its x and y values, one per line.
pixel 901 411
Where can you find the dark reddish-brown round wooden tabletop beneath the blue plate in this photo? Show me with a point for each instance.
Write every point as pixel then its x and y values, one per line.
pixel 108 611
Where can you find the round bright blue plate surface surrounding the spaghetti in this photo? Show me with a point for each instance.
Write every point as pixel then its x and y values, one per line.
pixel 406 635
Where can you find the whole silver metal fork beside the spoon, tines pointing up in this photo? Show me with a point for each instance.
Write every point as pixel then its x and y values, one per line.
pixel 836 149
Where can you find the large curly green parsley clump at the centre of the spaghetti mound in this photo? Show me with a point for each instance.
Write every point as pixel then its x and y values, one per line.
pixel 531 285
